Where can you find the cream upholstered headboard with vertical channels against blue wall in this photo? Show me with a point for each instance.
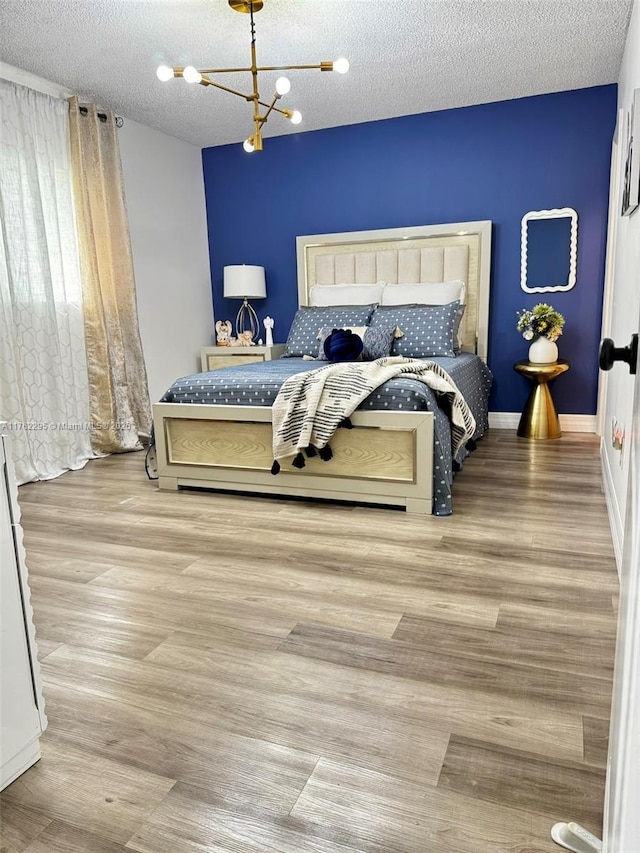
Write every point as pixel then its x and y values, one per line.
pixel 423 253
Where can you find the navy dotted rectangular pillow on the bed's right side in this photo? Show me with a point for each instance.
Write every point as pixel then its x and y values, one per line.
pixel 429 330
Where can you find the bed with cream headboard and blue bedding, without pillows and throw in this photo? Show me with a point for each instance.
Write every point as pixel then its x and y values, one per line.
pixel 213 430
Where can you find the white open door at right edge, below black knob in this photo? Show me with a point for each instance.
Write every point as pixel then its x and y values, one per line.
pixel 622 808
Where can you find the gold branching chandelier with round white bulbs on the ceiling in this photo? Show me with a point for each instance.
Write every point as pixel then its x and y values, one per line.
pixel 202 76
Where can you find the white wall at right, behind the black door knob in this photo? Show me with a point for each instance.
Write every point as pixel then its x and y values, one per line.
pixel 624 304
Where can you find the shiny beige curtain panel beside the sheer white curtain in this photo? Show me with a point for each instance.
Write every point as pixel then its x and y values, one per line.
pixel 119 396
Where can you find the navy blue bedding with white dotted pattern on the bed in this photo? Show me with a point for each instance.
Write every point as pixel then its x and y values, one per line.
pixel 258 385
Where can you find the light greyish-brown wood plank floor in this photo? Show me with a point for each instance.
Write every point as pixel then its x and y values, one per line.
pixel 226 673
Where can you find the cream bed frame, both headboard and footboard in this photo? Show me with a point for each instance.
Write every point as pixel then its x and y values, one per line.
pixel 388 457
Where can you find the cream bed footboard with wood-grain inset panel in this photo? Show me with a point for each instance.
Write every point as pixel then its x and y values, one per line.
pixel 387 458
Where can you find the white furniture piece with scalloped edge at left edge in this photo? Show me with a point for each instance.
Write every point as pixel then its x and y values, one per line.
pixel 19 718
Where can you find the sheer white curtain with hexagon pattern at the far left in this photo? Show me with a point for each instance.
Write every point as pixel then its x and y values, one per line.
pixel 44 393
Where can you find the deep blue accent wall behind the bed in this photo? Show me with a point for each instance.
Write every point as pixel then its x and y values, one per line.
pixel 494 161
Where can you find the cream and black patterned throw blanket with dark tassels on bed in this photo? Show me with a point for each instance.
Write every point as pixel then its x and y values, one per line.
pixel 311 405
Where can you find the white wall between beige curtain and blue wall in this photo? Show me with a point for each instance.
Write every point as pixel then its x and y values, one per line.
pixel 164 190
